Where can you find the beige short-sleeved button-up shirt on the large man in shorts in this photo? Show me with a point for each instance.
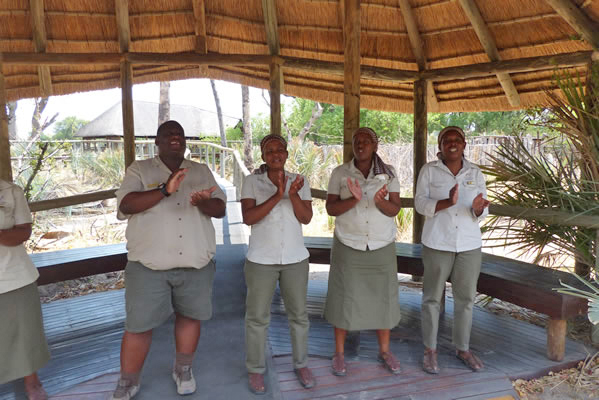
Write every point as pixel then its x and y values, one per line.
pixel 173 233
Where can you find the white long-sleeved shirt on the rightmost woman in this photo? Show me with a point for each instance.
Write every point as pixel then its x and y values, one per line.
pixel 456 228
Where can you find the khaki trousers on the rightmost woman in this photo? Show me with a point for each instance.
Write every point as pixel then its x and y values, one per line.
pixel 464 268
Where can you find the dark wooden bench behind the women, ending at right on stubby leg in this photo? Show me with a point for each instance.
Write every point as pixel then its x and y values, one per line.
pixel 524 284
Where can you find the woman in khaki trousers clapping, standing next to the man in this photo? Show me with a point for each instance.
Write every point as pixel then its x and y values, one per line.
pixel 275 203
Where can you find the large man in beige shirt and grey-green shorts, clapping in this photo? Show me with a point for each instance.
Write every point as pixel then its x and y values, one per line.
pixel 168 202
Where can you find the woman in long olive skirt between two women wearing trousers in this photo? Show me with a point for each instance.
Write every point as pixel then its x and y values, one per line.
pixel 363 195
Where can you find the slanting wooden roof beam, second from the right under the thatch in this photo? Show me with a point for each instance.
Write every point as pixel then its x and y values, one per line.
pixel 488 43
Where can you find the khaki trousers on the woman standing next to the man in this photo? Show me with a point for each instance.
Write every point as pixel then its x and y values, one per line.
pixel 261 281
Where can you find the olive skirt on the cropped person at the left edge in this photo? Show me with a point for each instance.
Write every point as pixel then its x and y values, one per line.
pixel 23 345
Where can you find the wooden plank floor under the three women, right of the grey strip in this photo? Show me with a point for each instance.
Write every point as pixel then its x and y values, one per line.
pixel 509 348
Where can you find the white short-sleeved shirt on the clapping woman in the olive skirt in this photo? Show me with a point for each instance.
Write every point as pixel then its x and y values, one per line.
pixel 364 225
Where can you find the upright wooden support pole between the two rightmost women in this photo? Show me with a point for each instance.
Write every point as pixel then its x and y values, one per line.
pixel 420 143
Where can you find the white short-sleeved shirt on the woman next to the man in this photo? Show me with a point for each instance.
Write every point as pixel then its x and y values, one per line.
pixel 277 238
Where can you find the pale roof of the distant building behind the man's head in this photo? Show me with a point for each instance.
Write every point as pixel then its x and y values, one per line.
pixel 195 121
